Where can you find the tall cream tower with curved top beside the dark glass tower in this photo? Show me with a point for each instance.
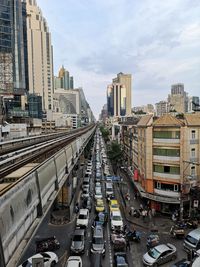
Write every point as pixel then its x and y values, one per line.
pixel 39 55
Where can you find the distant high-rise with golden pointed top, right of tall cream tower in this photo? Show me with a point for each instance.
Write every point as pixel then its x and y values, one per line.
pixel 64 80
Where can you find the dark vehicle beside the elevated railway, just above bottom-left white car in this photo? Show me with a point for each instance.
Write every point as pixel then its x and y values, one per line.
pixel 47 244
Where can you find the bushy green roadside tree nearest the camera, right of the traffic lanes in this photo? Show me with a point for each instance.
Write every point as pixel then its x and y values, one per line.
pixel 115 154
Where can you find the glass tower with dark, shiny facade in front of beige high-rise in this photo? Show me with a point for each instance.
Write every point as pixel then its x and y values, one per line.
pixel 116 100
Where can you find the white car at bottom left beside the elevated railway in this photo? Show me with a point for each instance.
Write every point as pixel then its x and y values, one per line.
pixel 50 259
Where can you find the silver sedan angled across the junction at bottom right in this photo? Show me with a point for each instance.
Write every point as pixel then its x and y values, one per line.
pixel 160 254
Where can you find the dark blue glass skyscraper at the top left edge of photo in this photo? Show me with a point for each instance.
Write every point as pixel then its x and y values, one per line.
pixel 12 69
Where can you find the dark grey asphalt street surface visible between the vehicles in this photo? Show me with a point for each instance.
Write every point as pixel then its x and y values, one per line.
pixel 65 232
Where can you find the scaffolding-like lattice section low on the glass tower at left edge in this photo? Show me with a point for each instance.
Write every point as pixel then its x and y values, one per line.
pixel 6 73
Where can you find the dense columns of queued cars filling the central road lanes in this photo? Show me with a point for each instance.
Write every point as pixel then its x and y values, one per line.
pixel 98 205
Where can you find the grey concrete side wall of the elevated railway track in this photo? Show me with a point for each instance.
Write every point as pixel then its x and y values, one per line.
pixel 19 207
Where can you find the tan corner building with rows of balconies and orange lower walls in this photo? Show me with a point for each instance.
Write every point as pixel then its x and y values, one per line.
pixel 166 156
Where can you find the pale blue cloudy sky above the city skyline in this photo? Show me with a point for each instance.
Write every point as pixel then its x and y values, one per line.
pixel 157 41
